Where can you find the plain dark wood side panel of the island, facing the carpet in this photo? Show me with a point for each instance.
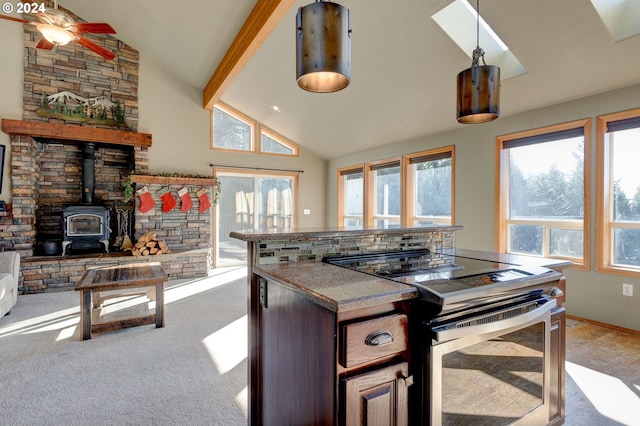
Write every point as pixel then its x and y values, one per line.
pixel 294 364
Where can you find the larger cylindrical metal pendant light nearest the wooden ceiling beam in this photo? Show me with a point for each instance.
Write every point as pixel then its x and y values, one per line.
pixel 323 47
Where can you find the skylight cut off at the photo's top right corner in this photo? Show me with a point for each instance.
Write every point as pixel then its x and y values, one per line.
pixel 621 17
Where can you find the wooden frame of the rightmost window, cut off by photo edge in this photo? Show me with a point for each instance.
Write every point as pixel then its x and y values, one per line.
pixel 604 197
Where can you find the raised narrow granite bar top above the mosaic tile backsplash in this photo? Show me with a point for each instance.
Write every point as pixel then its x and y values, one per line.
pixel 306 233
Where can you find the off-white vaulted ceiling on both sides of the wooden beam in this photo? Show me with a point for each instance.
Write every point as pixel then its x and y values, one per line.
pixel 404 66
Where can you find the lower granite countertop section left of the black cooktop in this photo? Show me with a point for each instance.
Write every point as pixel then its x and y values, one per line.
pixel 337 289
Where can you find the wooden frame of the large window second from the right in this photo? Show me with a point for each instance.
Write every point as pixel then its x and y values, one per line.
pixel 502 193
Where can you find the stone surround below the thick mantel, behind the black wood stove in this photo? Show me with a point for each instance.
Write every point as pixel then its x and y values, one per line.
pixel 45 176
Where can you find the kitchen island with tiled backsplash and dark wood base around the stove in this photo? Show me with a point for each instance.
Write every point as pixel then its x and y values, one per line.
pixel 323 339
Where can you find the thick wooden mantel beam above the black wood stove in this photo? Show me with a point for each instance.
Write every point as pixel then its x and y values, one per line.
pixel 75 133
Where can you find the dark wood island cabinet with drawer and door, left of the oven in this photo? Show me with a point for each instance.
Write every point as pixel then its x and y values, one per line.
pixel 314 366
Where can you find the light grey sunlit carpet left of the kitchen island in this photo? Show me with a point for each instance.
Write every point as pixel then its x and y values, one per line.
pixel 193 371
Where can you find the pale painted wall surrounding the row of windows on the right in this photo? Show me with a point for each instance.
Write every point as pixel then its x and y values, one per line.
pixel 590 295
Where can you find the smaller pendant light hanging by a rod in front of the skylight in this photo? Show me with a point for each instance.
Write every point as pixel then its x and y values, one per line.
pixel 478 87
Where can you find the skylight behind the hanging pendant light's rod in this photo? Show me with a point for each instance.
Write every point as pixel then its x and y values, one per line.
pixel 458 20
